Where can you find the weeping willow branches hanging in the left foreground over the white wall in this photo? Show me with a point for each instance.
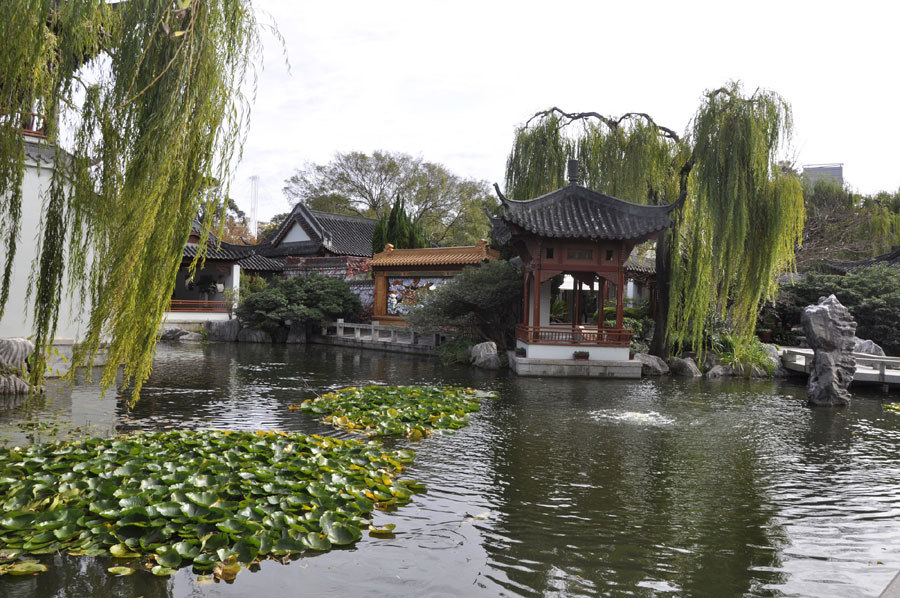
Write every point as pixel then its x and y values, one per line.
pixel 142 102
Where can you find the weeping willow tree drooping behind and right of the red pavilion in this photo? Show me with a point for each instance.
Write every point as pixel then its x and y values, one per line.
pixel 740 218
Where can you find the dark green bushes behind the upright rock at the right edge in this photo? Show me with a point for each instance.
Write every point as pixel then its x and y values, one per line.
pixel 872 295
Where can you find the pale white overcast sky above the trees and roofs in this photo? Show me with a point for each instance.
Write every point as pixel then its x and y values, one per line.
pixel 449 81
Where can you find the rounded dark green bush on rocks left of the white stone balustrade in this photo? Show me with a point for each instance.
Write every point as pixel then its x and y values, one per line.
pixel 313 299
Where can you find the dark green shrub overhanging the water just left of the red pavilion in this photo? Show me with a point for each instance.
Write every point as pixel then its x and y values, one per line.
pixel 479 302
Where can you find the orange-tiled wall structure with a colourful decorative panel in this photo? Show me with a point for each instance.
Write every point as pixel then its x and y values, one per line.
pixel 402 276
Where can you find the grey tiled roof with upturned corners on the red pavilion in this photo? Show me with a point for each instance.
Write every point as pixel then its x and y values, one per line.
pixel 576 212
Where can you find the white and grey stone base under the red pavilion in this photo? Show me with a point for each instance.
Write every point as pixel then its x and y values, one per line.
pixel 557 361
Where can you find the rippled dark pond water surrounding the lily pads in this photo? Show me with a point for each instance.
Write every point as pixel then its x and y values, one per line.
pixel 557 488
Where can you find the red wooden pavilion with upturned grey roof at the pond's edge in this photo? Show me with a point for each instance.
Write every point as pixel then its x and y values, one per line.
pixel 589 236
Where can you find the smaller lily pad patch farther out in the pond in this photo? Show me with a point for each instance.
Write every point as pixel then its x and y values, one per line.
pixel 410 411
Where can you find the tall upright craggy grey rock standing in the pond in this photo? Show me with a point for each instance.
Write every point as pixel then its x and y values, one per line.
pixel 830 332
